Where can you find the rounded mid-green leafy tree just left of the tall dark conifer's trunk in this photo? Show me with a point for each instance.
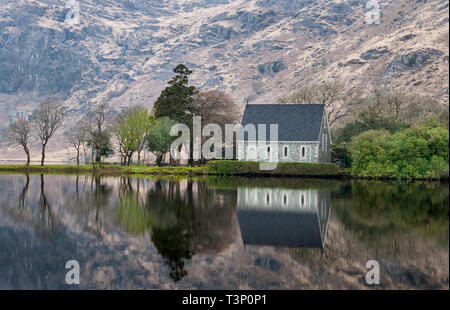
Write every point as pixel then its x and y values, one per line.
pixel 159 139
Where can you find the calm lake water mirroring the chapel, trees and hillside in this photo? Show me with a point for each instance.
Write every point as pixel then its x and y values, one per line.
pixel 221 233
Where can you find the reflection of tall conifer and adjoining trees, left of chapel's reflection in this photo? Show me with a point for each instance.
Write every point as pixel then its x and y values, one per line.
pixel 183 217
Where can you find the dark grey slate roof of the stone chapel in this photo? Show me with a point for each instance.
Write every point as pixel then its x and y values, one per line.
pixel 296 122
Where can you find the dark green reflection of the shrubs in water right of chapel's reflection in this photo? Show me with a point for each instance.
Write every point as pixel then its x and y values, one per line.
pixel 378 210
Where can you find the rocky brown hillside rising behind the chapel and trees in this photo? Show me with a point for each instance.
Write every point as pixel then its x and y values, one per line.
pixel 123 51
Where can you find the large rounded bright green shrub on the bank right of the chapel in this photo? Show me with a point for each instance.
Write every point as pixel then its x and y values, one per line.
pixel 420 152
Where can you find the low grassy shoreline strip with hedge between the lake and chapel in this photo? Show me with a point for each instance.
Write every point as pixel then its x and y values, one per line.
pixel 115 170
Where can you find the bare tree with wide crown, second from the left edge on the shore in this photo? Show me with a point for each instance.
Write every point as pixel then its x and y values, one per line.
pixel 47 119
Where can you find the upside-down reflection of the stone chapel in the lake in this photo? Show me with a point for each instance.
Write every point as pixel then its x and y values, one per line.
pixel 283 217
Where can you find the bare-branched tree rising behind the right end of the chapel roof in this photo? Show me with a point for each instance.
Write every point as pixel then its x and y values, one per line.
pixel 339 101
